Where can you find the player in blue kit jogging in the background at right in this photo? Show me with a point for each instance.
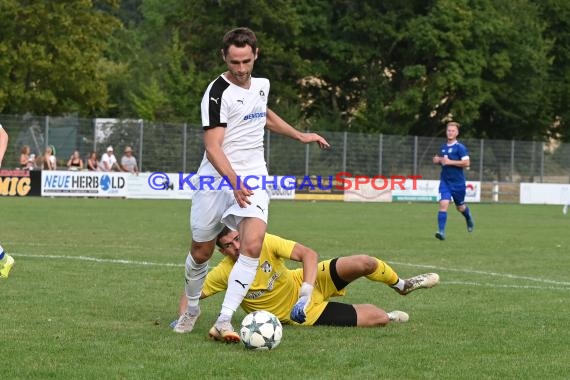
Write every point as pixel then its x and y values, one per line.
pixel 453 157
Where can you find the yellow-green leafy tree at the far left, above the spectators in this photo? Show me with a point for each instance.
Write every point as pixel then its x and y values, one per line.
pixel 52 56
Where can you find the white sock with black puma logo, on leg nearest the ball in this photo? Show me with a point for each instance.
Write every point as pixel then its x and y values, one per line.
pixel 241 277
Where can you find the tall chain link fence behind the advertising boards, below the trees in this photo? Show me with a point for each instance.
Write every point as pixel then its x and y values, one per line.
pixel 169 147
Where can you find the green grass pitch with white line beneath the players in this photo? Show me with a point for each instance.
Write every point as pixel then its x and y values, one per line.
pixel 96 283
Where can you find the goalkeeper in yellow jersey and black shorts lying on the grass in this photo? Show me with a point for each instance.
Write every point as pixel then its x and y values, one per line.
pixel 276 288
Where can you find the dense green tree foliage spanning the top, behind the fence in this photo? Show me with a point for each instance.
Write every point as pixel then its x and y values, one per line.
pixel 499 67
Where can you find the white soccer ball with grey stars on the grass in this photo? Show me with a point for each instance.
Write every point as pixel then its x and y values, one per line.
pixel 261 330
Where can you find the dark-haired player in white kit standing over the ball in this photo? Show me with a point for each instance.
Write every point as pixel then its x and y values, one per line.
pixel 234 118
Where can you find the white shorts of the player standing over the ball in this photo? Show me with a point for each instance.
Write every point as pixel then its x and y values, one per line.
pixel 212 209
